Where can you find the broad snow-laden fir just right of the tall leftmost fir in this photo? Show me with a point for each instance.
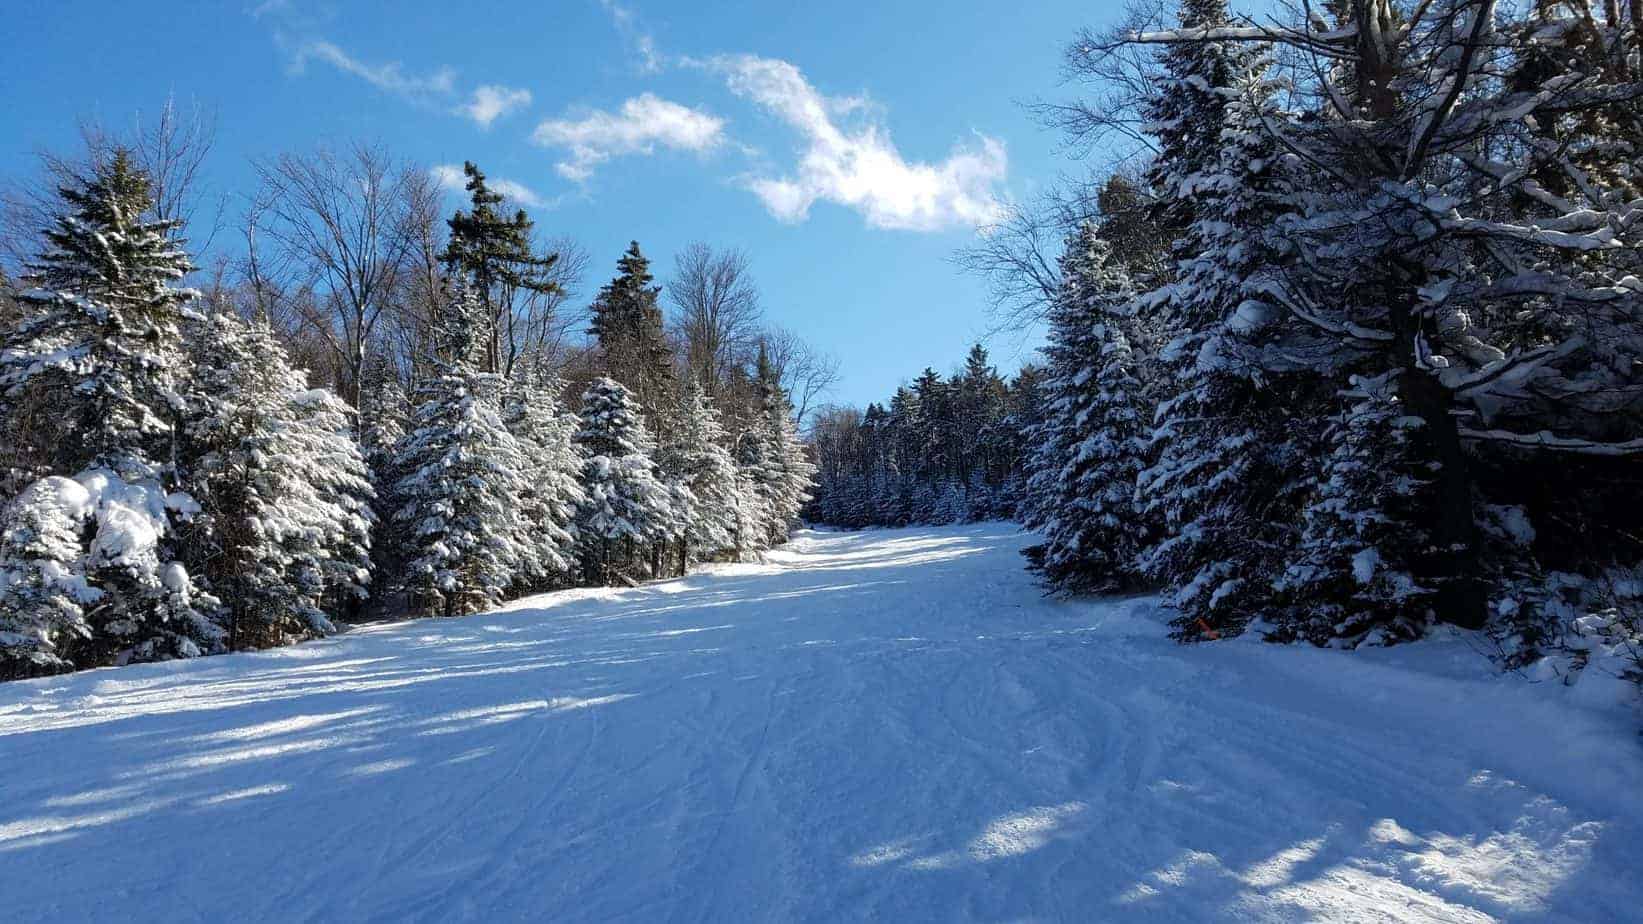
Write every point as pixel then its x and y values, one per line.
pixel 285 530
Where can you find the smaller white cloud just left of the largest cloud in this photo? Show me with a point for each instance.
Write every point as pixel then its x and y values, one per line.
pixel 640 127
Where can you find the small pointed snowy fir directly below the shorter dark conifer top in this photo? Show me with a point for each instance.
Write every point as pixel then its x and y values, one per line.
pixel 627 506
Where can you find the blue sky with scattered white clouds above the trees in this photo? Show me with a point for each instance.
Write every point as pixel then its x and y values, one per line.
pixel 847 150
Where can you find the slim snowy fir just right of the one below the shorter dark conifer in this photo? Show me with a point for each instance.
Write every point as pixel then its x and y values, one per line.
pixel 696 456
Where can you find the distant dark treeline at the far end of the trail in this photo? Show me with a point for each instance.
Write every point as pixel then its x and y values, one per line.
pixel 941 451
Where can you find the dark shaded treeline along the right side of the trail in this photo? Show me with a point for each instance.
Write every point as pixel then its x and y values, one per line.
pixel 1360 349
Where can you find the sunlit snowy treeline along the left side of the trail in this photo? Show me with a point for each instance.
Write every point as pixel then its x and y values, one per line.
pixel 177 486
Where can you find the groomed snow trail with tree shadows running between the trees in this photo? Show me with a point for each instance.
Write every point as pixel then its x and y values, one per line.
pixel 886 726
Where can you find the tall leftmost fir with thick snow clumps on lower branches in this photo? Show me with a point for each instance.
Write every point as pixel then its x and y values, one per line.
pixel 101 348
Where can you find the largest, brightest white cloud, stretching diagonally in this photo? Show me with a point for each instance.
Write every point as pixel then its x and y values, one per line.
pixel 860 167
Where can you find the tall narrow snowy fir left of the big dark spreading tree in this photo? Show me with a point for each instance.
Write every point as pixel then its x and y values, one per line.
pixel 1228 448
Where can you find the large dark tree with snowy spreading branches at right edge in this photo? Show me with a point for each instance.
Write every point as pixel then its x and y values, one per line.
pixel 1465 228
